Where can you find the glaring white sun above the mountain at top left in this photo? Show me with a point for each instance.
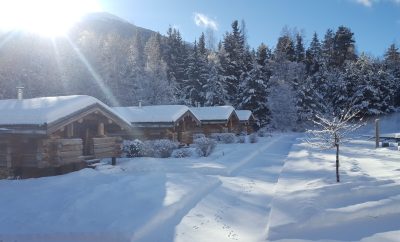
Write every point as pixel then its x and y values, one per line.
pixel 50 18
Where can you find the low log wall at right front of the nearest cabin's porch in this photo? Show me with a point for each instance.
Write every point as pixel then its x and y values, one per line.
pixel 107 147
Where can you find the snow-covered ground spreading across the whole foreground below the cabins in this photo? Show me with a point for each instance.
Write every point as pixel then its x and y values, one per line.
pixel 276 189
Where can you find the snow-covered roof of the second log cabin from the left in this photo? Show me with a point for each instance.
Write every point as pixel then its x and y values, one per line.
pixel 152 114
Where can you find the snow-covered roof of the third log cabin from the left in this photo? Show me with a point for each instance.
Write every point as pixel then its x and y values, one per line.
pixel 213 113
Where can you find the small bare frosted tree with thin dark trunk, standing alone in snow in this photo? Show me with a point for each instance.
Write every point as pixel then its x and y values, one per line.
pixel 330 132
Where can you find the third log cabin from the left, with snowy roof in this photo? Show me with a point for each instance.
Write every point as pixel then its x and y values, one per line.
pixel 217 119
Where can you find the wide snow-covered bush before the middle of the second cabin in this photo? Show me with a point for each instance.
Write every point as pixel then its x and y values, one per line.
pixel 161 148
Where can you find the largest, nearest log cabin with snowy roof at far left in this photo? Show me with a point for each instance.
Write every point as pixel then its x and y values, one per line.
pixel 55 135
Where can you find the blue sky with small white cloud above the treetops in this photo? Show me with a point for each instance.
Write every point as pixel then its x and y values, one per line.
pixel 376 23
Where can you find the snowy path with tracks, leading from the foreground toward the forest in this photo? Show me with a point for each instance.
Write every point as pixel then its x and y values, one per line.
pixel 238 209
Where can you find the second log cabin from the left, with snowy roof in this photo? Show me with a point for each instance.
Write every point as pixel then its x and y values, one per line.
pixel 174 122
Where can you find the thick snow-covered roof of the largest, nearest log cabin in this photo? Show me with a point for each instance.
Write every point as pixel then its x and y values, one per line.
pixel 45 110
